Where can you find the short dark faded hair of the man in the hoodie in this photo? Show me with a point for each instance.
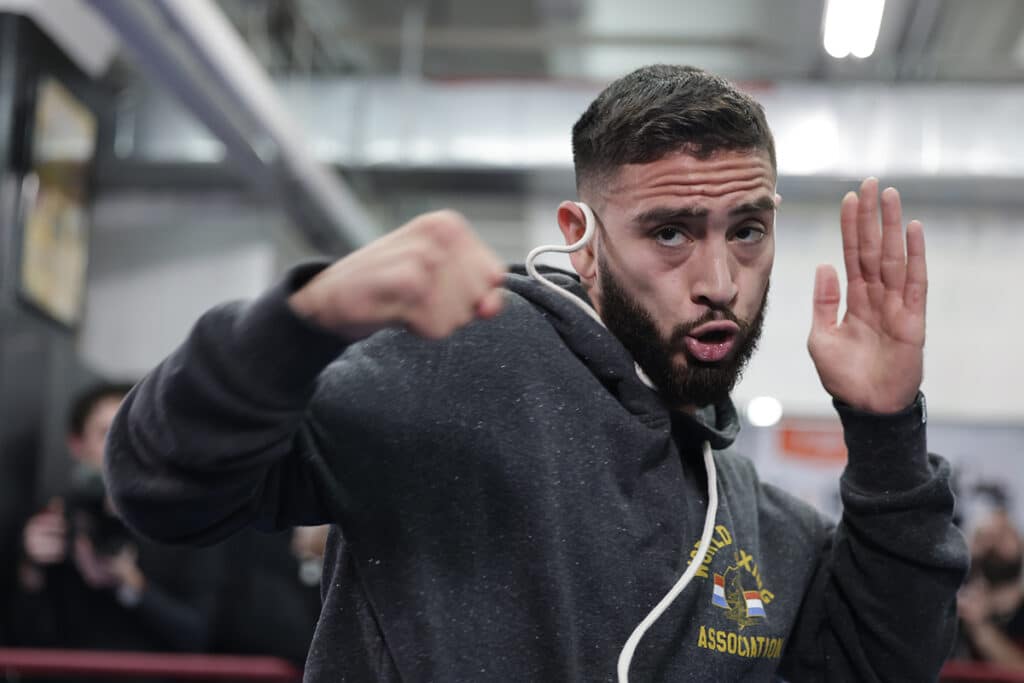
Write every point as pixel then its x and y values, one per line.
pixel 660 110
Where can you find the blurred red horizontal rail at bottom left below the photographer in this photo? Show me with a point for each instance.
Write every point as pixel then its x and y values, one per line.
pixel 109 664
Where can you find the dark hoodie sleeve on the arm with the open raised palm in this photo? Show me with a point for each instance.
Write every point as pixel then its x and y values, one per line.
pixel 882 604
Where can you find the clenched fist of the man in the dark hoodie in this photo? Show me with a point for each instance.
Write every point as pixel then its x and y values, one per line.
pixel 433 276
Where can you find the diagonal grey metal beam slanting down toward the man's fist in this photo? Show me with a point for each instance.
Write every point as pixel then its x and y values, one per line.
pixel 196 55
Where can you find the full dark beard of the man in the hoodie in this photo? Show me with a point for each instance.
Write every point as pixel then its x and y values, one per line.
pixel 697 382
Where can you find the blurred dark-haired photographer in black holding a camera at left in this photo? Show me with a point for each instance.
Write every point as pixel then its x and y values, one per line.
pixel 84 582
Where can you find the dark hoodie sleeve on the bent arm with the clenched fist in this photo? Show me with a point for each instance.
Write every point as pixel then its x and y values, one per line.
pixel 219 437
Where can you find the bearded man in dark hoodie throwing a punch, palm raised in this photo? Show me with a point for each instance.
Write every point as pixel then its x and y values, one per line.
pixel 510 498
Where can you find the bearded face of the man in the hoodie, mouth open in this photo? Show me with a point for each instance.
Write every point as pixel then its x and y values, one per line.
pixel 682 268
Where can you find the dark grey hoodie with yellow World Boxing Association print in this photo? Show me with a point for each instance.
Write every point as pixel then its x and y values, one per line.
pixel 509 503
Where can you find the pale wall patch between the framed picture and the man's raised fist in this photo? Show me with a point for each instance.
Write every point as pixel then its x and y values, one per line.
pixel 159 262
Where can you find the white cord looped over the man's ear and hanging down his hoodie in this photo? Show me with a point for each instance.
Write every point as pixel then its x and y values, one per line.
pixel 626 657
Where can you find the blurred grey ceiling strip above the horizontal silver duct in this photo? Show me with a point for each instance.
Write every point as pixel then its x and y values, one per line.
pixel 596 40
